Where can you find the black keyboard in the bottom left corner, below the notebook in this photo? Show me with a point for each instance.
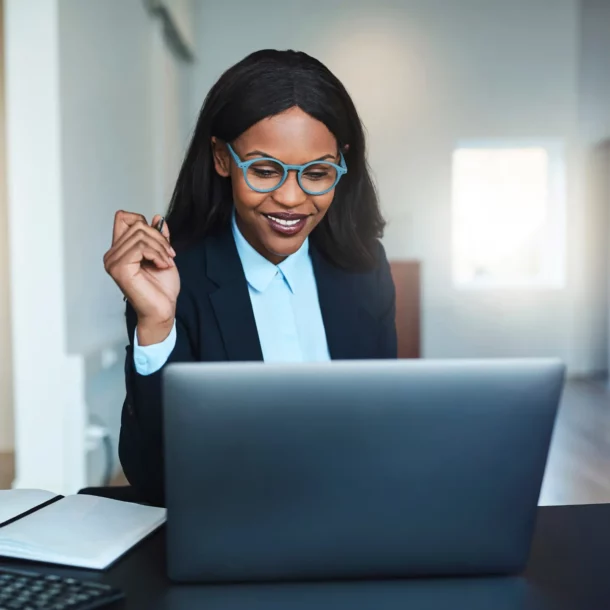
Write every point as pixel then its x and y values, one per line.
pixel 24 590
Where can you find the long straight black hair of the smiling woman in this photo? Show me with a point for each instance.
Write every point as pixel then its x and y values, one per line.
pixel 262 85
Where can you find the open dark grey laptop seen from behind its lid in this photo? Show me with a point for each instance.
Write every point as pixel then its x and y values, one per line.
pixel 357 469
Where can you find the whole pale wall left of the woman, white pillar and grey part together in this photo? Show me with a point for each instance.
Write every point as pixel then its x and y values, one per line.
pixel 90 123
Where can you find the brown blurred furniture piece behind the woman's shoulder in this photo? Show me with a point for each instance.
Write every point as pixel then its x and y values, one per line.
pixel 406 275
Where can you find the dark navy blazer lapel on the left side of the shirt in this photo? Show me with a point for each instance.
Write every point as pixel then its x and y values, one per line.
pixel 231 300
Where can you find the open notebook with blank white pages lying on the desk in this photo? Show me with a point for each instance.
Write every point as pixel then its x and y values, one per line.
pixel 81 531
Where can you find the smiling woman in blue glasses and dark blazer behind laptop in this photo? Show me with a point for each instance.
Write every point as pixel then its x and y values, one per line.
pixel 276 224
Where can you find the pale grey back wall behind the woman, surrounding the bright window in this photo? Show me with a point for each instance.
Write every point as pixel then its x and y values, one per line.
pixel 425 74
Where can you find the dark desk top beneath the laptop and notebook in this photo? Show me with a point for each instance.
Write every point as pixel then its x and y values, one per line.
pixel 568 569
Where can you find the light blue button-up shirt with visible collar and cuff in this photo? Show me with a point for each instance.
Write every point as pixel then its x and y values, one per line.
pixel 286 309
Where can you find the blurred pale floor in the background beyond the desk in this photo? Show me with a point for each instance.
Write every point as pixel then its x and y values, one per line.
pixel 578 470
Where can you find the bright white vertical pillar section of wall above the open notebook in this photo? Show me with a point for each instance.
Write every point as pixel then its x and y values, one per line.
pixel 49 415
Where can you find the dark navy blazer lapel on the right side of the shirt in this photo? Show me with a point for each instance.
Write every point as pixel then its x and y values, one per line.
pixel 341 309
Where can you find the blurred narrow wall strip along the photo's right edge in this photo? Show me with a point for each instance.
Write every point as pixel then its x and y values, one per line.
pixel 595 140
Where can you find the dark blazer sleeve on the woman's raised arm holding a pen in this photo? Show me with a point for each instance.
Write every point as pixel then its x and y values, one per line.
pixel 141 438
